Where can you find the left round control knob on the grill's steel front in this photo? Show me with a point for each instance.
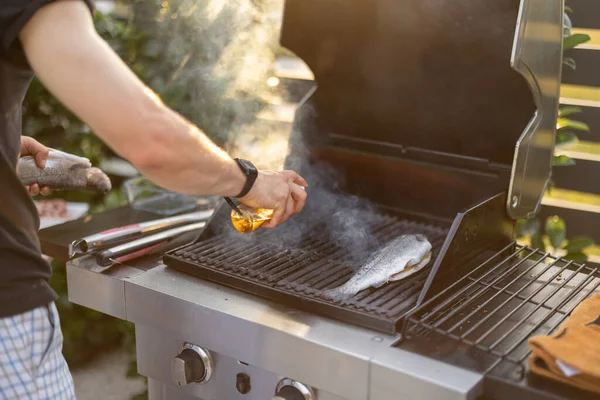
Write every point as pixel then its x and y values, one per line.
pixel 191 365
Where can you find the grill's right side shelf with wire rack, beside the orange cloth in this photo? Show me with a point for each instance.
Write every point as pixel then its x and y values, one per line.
pixel 517 293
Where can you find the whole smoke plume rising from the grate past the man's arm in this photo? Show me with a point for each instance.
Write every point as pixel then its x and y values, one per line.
pixel 226 78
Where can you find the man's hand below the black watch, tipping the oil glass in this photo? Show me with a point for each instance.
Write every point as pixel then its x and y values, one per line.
pixel 284 192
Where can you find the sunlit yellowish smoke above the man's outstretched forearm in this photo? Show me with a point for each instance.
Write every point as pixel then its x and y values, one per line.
pixel 210 60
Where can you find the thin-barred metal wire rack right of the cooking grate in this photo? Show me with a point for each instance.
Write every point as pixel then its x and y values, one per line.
pixel 517 293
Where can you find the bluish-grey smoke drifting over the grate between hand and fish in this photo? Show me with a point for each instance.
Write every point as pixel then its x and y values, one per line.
pixel 330 214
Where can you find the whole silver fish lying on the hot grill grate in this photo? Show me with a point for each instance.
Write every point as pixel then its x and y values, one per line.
pixel 398 259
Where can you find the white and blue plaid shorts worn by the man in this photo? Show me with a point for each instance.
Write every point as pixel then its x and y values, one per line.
pixel 32 366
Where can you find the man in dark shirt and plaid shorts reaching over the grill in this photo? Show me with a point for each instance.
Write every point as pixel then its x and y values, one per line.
pixel 56 39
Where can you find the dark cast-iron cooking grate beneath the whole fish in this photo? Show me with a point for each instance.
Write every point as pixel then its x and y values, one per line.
pixel 298 275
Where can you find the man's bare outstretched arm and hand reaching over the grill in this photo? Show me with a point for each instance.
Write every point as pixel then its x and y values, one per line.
pixel 86 75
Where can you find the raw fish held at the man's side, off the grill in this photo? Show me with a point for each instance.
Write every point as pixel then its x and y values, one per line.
pixel 63 171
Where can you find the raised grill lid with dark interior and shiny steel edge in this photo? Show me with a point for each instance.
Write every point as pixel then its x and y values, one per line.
pixel 458 78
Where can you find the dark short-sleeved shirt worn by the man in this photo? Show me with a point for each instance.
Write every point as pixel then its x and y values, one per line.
pixel 24 274
